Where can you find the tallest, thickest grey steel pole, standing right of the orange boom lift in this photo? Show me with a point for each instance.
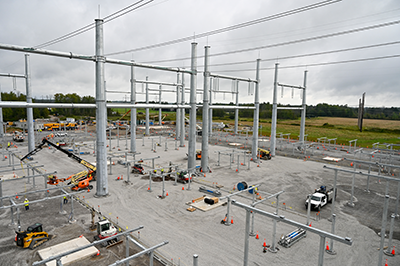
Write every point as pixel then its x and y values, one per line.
pixel 101 111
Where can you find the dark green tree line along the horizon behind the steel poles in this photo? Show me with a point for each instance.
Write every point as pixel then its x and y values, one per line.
pixel 322 109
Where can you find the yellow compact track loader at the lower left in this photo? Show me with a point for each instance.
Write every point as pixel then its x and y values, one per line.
pixel 33 237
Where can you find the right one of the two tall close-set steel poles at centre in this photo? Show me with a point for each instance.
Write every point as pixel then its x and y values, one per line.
pixel 205 125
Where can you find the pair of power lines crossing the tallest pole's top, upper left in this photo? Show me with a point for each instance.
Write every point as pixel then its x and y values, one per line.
pixel 92 25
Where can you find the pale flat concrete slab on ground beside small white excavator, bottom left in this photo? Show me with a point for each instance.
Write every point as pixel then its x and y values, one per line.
pixel 67 246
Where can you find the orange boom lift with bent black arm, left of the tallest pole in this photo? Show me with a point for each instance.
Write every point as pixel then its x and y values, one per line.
pixel 79 180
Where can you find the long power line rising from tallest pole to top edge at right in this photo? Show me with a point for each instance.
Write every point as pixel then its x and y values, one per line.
pixel 230 28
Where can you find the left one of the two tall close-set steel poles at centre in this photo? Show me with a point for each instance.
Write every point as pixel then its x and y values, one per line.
pixel 192 123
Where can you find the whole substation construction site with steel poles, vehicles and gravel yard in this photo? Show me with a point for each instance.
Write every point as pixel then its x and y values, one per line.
pixel 189 192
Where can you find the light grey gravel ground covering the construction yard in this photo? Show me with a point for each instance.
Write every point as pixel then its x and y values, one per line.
pixel 202 233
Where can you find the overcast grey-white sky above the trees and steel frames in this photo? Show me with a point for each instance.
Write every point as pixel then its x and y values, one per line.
pixel 31 23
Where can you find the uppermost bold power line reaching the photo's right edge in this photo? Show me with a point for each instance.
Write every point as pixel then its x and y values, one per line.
pixel 291 42
